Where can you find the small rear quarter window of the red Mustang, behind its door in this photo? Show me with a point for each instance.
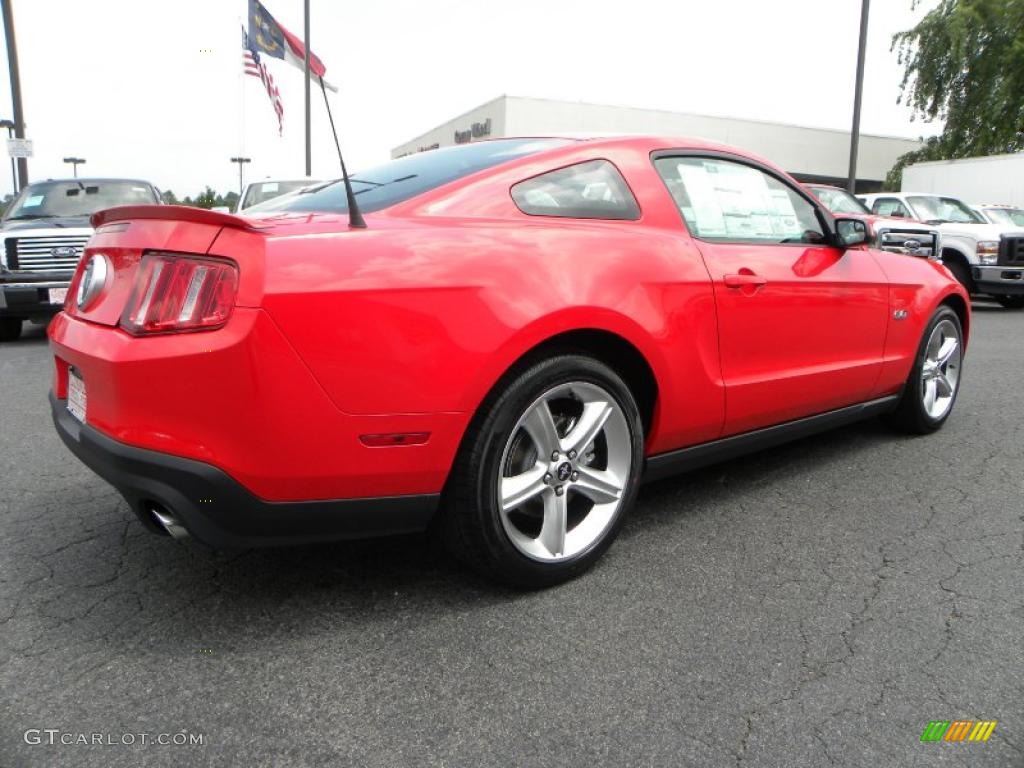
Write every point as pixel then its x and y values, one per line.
pixel 594 190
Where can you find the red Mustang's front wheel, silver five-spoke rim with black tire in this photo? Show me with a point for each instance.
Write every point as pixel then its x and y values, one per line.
pixel 931 391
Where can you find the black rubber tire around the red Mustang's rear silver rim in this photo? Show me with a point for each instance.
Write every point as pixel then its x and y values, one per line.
pixel 472 523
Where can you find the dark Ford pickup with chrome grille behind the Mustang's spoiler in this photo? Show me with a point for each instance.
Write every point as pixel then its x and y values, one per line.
pixel 45 232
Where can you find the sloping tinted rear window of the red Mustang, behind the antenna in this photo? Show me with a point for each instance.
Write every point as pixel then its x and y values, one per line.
pixel 406 178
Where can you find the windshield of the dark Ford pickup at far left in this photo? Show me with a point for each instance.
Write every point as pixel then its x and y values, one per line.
pixel 51 200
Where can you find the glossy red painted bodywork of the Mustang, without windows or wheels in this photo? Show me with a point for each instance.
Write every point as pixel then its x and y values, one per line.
pixel 406 326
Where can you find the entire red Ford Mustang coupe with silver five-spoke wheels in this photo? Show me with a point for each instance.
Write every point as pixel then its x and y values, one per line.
pixel 523 332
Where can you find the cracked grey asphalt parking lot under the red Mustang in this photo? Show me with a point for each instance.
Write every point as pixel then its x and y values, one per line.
pixel 815 606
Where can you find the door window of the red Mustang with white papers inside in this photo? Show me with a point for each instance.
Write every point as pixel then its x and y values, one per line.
pixel 726 201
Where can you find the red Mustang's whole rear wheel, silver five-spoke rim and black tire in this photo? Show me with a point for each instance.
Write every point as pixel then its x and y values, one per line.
pixel 546 474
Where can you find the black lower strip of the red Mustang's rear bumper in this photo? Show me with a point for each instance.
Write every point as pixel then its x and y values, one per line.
pixel 218 510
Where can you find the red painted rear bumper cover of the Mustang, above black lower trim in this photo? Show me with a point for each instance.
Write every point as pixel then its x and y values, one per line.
pixel 241 400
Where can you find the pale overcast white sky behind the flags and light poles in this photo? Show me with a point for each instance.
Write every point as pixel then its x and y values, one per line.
pixel 153 90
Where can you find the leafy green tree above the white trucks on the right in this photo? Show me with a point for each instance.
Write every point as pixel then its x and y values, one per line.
pixel 964 64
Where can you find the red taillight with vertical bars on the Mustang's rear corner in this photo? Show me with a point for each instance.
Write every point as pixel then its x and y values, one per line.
pixel 177 293
